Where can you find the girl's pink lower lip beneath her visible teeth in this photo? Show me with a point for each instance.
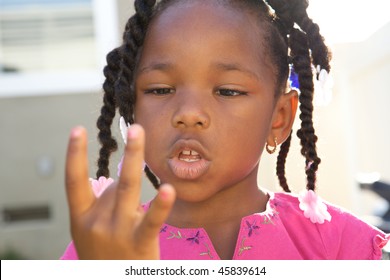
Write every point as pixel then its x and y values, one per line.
pixel 188 170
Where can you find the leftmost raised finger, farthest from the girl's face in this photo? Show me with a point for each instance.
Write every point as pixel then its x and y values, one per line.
pixel 79 193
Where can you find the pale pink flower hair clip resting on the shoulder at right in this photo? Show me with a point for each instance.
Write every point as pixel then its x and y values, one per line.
pixel 313 207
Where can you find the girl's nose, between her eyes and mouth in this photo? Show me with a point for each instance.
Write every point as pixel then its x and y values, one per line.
pixel 191 111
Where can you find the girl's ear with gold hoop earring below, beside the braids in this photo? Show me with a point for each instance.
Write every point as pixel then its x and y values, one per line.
pixel 283 117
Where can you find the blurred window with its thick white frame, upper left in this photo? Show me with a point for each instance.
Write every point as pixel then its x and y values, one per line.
pixel 54 46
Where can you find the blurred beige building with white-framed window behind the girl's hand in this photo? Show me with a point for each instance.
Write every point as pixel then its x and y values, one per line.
pixel 51 56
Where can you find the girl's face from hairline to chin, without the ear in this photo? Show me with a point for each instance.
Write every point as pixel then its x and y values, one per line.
pixel 205 97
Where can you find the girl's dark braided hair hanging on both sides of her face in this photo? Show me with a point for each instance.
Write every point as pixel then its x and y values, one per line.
pixel 292 39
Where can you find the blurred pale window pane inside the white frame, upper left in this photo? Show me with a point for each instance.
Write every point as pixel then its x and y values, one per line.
pixel 39 35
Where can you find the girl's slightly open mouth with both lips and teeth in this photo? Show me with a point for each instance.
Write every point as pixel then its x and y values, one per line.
pixel 188 160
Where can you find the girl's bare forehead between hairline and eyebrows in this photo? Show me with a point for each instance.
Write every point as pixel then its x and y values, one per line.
pixel 205 29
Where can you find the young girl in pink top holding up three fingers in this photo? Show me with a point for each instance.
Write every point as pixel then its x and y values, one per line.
pixel 207 84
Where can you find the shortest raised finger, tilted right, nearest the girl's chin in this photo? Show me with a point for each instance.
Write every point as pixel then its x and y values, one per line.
pixel 157 214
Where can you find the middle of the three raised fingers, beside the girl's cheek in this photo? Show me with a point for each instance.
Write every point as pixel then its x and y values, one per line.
pixel 129 185
